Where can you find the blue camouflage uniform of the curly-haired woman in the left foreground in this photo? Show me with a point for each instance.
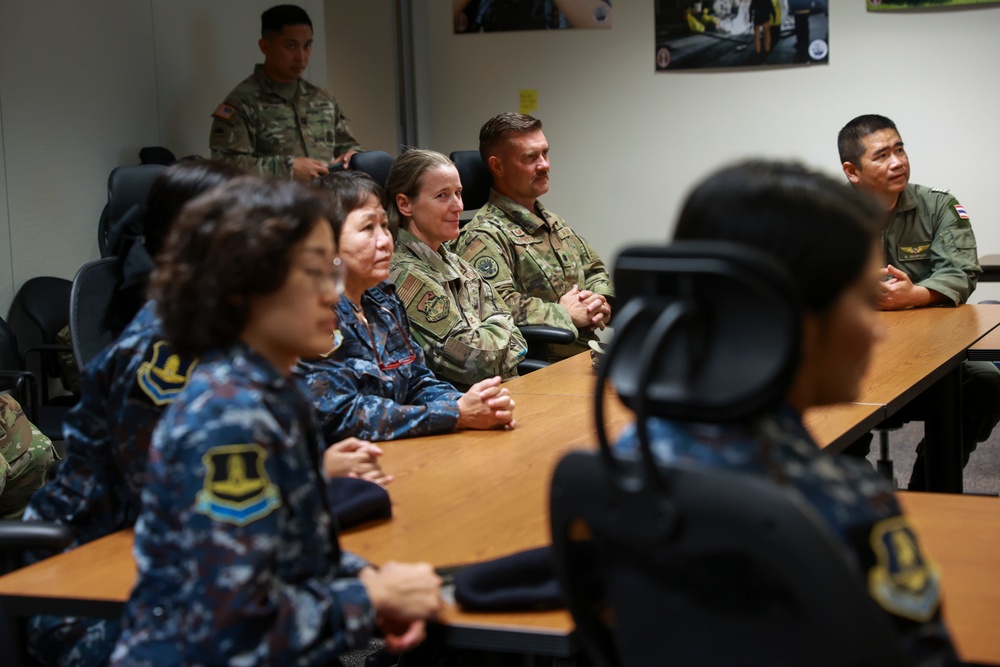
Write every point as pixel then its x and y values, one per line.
pixel 237 553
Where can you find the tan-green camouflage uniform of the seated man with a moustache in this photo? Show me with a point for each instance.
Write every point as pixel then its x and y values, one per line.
pixel 532 258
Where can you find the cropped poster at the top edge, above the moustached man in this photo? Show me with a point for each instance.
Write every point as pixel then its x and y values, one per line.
pixel 504 15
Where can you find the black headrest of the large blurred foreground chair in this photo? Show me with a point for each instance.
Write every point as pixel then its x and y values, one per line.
pixel 706 331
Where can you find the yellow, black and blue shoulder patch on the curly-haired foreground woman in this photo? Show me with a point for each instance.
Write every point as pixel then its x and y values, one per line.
pixel 237 489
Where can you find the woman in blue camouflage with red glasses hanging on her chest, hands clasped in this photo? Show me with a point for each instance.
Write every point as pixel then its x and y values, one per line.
pixel 373 382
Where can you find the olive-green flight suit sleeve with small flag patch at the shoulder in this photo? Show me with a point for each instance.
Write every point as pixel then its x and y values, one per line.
pixel 955 266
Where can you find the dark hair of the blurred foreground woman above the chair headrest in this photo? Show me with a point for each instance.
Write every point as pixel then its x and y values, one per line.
pixel 823 231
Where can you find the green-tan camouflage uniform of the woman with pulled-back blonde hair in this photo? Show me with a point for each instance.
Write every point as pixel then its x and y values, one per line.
pixel 466 332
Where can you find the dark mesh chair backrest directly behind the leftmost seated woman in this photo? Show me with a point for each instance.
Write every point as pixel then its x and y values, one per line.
pixel 93 290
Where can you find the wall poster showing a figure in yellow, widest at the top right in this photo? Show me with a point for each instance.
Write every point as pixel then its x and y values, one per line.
pixel 694 34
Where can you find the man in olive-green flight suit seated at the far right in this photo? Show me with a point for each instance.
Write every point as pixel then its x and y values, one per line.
pixel 929 252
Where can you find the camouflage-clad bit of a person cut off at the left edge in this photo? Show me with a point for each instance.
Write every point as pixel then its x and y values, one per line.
pixel 25 454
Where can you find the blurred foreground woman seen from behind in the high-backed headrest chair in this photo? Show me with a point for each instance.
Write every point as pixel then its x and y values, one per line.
pixel 825 234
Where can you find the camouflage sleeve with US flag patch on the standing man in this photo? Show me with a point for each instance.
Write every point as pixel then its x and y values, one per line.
pixel 233 140
